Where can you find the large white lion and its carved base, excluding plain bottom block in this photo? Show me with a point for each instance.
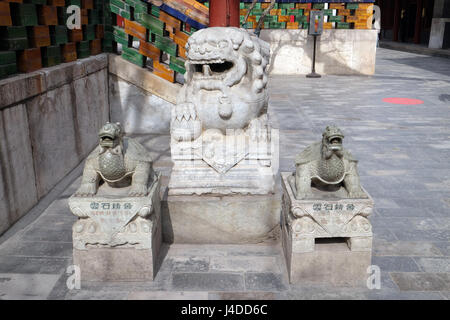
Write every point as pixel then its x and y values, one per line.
pixel 221 142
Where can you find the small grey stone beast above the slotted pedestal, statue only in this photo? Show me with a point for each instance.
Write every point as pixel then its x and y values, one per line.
pixel 327 163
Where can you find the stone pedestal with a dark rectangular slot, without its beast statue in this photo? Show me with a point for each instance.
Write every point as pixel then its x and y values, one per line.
pixel 326 239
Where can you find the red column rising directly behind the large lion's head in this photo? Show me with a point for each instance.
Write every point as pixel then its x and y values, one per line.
pixel 224 13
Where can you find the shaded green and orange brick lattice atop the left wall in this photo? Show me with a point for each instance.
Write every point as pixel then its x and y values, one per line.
pixel 33 33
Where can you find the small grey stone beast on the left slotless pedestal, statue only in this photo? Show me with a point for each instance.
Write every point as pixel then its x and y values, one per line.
pixel 118 161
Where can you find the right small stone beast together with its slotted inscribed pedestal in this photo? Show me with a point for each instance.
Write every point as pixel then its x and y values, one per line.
pixel 326 234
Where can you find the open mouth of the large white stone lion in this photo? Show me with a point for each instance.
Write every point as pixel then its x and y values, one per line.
pixel 211 69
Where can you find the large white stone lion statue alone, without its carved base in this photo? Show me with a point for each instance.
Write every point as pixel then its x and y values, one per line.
pixel 225 84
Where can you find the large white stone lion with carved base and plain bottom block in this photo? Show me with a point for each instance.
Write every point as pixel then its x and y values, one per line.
pixel 222 185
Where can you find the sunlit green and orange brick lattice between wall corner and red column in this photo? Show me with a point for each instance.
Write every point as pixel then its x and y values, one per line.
pixel 155 37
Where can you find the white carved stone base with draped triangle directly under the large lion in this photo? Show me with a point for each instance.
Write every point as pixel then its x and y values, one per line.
pixel 224 164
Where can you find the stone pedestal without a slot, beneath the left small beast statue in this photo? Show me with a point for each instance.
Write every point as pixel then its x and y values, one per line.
pixel 117 236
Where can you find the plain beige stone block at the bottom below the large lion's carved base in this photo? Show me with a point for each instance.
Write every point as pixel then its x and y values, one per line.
pixel 224 220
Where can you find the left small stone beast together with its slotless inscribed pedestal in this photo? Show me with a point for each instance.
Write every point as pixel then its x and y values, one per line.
pixel 118 234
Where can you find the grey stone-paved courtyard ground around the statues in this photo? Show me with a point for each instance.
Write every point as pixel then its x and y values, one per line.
pixel 404 153
